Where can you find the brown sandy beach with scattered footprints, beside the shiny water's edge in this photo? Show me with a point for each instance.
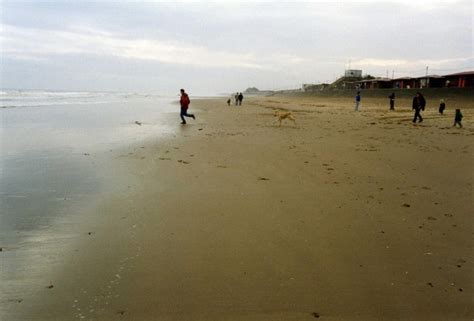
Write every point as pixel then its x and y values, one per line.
pixel 341 216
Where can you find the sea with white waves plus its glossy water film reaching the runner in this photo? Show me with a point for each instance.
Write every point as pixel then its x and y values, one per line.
pixel 54 148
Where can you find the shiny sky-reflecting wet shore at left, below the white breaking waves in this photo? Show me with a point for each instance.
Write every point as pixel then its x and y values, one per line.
pixel 54 166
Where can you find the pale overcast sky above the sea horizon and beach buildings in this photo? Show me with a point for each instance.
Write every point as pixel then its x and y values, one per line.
pixel 221 47
